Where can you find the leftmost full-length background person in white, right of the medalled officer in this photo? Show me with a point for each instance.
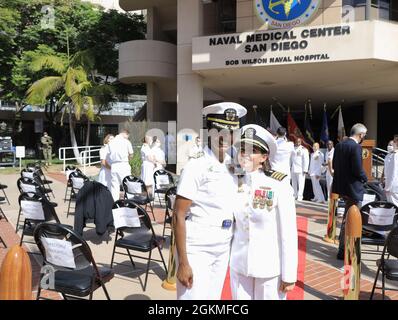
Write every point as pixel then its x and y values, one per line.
pixel 300 162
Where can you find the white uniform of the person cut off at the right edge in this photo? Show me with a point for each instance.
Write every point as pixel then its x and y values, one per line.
pixel 391 177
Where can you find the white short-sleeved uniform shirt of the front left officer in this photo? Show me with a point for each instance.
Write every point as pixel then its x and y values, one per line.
pixel 211 187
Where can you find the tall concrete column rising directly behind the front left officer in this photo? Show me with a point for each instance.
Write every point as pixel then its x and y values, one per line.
pixel 189 84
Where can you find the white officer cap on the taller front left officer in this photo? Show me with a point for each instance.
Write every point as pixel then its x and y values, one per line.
pixel 223 115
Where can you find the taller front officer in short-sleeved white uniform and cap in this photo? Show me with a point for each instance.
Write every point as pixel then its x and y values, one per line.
pixel 204 206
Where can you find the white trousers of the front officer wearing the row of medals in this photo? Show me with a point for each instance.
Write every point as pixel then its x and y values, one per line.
pixel 249 288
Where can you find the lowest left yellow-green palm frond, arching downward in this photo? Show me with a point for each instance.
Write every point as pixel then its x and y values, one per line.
pixel 40 90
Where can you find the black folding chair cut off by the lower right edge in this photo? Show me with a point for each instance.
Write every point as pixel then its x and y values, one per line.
pixel 387 266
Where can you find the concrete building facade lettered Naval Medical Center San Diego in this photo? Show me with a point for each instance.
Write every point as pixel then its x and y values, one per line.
pixel 329 52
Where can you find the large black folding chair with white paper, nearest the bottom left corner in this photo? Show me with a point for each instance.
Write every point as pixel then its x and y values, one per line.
pixel 80 280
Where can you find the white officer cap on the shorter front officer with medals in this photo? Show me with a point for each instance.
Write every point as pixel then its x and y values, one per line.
pixel 258 136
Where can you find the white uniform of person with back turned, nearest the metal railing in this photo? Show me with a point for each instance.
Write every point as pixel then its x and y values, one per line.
pixel 119 150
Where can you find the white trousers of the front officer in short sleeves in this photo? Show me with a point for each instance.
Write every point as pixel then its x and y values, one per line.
pixel 209 267
